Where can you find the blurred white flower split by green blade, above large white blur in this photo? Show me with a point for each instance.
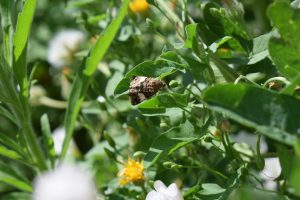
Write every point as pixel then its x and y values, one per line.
pixel 59 135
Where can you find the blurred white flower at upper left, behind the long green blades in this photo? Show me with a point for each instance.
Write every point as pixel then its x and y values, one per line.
pixel 63 46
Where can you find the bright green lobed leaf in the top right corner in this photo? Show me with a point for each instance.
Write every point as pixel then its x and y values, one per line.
pixel 285 51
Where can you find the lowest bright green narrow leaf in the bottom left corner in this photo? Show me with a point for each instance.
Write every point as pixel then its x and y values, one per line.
pixel 10 177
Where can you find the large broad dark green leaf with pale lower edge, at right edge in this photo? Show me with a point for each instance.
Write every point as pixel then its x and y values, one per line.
pixel 271 114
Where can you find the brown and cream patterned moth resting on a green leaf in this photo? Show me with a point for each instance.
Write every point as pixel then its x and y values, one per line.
pixel 142 88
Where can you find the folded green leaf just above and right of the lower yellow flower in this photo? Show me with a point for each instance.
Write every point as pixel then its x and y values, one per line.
pixel 168 142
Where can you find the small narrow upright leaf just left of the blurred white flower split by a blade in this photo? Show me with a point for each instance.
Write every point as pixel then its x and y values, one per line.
pixel 48 139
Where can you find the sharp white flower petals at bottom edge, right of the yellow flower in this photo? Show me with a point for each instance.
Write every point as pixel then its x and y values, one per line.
pixel 162 192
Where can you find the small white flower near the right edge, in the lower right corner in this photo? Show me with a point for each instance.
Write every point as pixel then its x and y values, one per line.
pixel 270 172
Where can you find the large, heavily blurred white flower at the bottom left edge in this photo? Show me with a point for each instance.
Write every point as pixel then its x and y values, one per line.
pixel 64 183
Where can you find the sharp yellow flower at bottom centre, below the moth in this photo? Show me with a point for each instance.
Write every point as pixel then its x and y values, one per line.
pixel 133 171
